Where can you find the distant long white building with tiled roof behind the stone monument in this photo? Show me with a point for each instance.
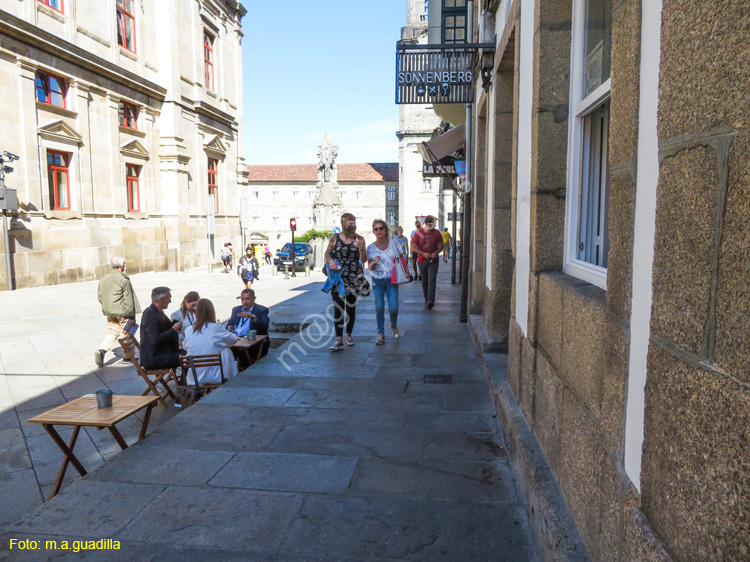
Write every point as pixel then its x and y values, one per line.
pixel 281 192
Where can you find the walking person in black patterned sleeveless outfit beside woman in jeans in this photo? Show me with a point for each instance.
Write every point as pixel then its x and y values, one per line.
pixel 345 254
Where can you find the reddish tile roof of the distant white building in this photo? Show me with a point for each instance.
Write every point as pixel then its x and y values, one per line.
pixel 347 173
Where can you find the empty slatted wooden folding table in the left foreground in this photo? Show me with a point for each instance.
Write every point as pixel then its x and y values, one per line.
pixel 83 412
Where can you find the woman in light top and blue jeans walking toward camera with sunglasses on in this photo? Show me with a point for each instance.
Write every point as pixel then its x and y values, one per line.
pixel 380 257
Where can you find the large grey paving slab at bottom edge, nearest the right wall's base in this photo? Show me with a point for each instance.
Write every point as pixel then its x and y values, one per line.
pixel 408 529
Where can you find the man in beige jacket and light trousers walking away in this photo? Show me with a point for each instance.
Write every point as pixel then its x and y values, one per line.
pixel 119 304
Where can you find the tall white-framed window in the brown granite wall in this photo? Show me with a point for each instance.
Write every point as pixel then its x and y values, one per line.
pixel 587 213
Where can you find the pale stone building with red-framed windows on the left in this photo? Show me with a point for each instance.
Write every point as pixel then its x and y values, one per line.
pixel 126 116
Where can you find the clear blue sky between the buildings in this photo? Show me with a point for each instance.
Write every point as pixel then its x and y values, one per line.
pixel 312 67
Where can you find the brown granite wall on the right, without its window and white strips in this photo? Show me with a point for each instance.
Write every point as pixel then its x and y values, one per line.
pixel 568 373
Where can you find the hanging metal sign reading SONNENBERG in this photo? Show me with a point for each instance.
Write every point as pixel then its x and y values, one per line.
pixel 434 77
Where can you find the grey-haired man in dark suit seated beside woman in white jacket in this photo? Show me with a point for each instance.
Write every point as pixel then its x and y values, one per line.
pixel 160 340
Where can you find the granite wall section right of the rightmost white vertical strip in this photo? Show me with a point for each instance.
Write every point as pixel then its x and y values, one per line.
pixel 696 455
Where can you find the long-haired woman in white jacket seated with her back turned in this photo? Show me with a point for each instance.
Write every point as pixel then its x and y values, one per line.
pixel 206 337
